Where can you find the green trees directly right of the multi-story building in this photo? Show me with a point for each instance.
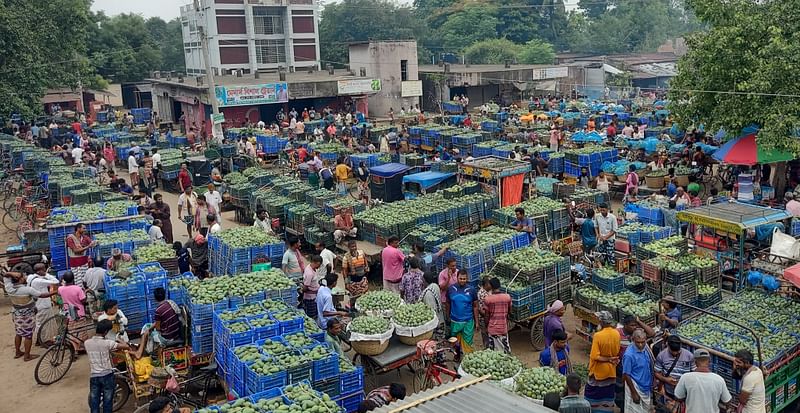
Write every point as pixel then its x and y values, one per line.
pixel 361 20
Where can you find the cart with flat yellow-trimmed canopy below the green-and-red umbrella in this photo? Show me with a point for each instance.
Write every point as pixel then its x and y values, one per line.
pixel 723 228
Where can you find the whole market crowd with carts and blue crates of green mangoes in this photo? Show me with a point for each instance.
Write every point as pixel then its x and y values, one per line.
pixel 287 266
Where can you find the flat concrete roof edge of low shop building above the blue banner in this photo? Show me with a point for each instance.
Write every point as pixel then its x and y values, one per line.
pixel 249 79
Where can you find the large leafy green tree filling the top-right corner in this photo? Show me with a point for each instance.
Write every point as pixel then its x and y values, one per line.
pixel 743 70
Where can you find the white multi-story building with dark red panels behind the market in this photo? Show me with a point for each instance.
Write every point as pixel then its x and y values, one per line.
pixel 252 35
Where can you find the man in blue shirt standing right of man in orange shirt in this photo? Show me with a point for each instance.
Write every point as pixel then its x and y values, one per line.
pixel 637 372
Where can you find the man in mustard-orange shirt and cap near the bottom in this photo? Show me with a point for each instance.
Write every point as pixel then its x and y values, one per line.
pixel 603 359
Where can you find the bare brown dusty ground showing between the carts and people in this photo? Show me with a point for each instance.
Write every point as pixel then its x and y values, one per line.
pixel 21 393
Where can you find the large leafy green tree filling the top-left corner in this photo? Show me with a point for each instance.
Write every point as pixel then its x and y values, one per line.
pixel 43 43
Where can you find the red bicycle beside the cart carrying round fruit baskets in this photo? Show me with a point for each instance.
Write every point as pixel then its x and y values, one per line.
pixel 433 363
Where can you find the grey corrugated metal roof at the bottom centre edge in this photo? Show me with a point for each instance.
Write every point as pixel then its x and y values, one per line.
pixel 483 397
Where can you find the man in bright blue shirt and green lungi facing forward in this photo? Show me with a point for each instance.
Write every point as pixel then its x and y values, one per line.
pixel 462 305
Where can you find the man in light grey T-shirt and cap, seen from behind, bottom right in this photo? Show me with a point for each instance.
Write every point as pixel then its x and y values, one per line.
pixel 701 389
